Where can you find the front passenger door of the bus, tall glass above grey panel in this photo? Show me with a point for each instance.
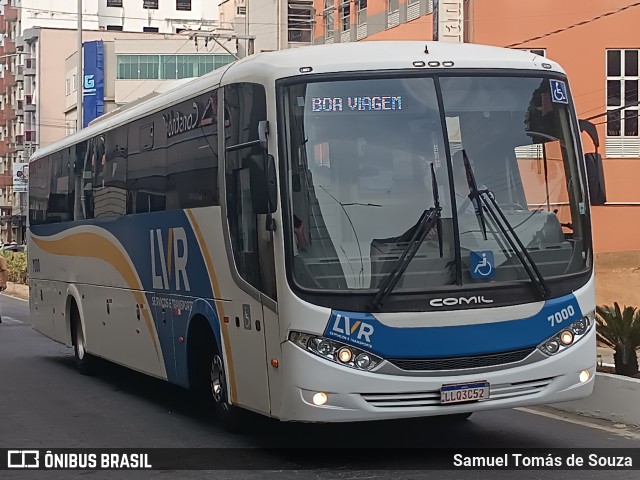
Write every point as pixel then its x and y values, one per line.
pixel 253 321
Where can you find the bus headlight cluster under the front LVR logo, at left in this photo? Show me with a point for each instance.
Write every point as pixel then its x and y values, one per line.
pixel 337 352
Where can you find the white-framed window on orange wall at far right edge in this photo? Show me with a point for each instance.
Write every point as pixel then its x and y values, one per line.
pixel 622 91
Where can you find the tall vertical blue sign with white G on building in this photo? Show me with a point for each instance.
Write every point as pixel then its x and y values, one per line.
pixel 93 82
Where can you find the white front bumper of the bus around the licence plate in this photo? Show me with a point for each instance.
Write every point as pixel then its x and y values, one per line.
pixel 354 395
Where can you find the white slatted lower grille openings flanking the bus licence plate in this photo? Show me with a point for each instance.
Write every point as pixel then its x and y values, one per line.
pixel 431 398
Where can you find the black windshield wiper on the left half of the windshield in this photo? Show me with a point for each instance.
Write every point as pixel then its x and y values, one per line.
pixel 429 219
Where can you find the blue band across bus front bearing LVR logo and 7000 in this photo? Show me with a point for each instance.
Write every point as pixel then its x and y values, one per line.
pixel 365 331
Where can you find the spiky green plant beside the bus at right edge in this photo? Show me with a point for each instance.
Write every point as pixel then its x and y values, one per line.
pixel 620 330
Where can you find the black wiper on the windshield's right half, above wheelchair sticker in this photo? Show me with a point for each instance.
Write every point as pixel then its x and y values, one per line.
pixel 485 199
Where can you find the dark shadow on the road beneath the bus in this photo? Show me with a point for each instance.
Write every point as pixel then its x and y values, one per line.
pixel 291 439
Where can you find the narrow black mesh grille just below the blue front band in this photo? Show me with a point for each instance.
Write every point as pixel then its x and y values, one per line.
pixel 460 363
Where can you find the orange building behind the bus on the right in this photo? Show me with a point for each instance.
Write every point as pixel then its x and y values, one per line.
pixel 596 42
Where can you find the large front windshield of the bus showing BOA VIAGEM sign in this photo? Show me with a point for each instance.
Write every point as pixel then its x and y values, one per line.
pixel 360 153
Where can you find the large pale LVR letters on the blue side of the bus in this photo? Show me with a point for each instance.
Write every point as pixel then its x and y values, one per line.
pixel 172 259
